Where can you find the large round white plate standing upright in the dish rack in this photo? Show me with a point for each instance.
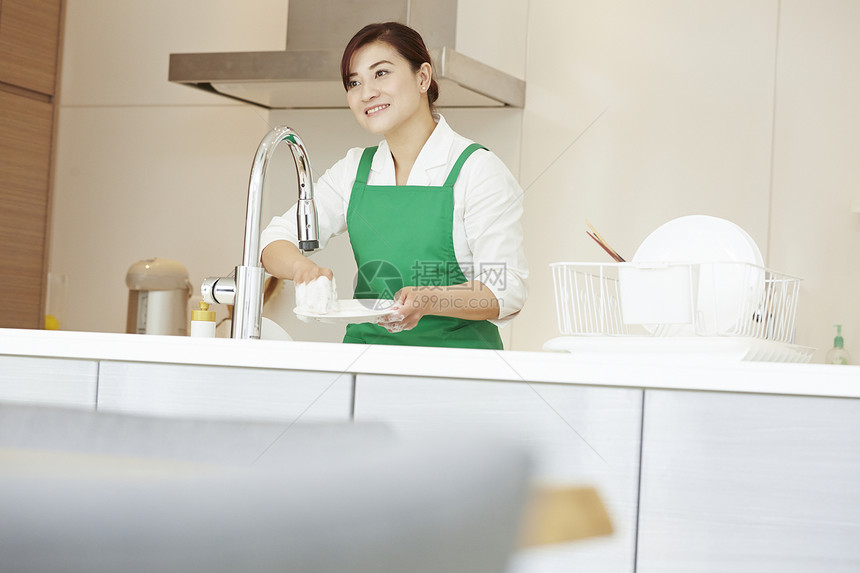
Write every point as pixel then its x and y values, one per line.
pixel 730 269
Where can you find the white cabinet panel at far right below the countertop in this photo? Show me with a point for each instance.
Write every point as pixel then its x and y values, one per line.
pixel 749 483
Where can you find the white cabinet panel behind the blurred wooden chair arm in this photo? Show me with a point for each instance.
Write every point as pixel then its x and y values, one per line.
pixel 579 435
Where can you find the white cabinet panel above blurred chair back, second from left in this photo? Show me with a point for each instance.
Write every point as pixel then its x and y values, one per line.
pixel 223 392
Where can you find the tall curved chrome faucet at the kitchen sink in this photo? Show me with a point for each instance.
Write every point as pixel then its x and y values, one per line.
pixel 244 290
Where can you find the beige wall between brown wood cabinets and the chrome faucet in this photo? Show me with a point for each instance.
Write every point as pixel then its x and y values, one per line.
pixel 146 168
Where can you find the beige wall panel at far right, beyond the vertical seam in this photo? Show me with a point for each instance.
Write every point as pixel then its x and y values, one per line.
pixel 816 166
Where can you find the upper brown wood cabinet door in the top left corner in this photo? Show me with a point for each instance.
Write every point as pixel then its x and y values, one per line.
pixel 29 34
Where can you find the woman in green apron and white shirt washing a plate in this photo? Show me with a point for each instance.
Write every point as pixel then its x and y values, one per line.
pixel 433 219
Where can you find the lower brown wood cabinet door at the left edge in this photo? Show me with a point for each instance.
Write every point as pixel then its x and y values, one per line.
pixel 25 157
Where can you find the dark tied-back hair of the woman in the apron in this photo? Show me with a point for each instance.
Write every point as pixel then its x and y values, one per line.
pixel 402 38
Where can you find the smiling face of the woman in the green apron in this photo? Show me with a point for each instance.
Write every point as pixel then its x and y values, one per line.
pixel 383 91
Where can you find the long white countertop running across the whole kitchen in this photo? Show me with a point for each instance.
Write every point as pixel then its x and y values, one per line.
pixel 597 369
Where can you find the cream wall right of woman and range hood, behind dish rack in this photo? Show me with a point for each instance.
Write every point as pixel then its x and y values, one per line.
pixel 639 112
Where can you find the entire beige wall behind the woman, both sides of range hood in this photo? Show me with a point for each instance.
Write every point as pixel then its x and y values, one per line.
pixel 637 112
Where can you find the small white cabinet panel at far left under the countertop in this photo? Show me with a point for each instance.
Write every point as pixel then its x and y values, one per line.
pixel 49 381
